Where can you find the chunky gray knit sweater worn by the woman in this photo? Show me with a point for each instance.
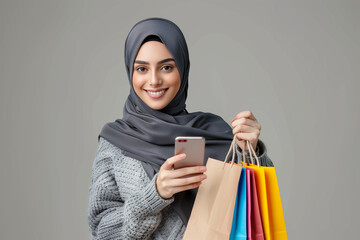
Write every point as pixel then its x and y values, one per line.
pixel 124 202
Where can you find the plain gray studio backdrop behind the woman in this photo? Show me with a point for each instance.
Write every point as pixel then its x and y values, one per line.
pixel 294 64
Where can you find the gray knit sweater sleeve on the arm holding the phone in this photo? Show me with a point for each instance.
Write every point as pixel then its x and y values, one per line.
pixel 111 215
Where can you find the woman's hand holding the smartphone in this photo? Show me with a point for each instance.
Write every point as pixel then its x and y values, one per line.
pixel 170 181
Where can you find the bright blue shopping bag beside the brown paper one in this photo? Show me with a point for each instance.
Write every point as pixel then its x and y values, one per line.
pixel 239 224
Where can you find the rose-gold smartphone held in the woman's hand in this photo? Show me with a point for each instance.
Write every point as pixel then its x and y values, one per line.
pixel 193 147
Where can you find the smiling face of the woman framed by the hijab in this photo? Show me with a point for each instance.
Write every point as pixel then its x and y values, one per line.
pixel 156 79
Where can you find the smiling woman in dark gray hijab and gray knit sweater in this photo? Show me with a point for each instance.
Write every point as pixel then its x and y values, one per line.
pixel 134 193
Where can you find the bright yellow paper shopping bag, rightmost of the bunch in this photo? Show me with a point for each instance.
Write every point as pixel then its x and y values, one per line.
pixel 269 200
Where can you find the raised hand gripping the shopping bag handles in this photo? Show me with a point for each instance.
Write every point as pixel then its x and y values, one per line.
pixel 246 127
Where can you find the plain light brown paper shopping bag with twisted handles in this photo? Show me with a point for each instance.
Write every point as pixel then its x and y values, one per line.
pixel 212 213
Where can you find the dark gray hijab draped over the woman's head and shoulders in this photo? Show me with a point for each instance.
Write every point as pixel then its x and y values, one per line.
pixel 148 135
